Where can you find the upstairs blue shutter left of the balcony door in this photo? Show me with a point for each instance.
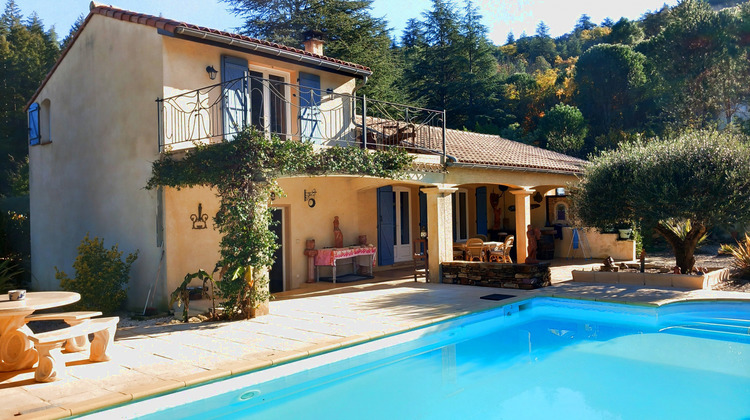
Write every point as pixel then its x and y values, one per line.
pixel 235 94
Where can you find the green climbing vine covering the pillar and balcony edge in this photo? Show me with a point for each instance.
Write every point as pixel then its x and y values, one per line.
pixel 244 172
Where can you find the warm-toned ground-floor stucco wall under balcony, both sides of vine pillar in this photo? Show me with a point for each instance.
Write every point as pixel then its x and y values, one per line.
pixel 353 199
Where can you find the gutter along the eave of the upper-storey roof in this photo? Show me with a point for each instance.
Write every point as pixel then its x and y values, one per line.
pixel 195 33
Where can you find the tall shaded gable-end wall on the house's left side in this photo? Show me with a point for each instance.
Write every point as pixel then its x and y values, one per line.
pixel 103 132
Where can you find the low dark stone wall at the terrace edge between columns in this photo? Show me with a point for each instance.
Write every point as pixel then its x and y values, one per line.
pixel 514 276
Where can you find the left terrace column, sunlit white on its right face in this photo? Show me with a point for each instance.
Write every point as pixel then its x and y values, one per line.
pixel 439 228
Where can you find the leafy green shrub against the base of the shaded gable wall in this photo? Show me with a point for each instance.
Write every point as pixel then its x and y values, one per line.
pixel 101 276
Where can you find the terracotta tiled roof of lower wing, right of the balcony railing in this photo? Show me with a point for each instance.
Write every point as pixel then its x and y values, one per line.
pixel 486 149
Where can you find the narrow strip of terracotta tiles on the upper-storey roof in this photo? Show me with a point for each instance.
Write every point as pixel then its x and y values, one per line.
pixel 170 26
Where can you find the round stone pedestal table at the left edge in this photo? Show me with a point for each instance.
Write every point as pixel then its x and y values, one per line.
pixel 16 350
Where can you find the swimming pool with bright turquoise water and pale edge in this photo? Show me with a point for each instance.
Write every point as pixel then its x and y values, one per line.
pixel 539 358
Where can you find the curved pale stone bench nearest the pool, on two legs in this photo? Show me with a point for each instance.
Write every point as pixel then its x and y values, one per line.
pixel 49 345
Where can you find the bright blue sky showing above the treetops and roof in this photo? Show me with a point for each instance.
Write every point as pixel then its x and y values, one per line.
pixel 500 16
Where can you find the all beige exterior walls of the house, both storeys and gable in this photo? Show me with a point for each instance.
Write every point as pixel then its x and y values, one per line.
pixel 104 137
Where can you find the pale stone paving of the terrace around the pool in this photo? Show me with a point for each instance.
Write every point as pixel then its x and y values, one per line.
pixel 153 359
